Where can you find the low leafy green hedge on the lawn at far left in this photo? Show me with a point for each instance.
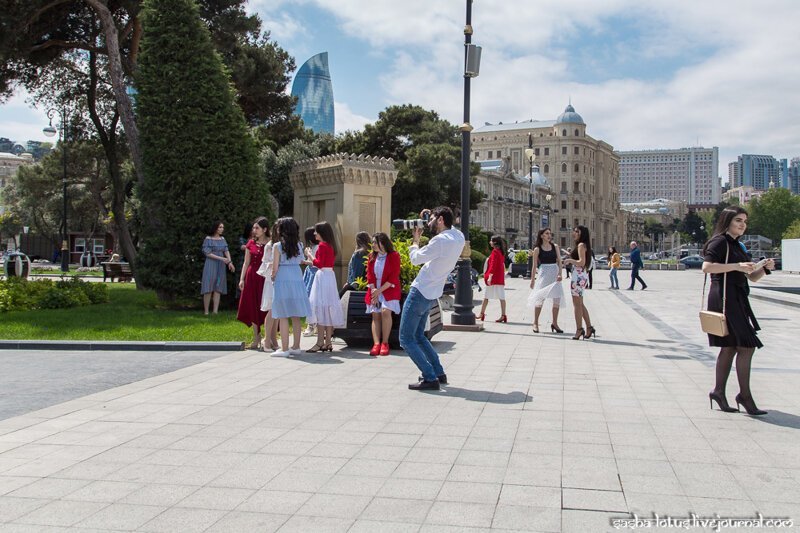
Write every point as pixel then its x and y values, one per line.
pixel 22 295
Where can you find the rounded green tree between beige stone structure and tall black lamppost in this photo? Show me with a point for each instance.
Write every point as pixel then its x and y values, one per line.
pixel 427 153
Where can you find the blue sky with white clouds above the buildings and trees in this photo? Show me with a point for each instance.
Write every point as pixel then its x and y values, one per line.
pixel 655 74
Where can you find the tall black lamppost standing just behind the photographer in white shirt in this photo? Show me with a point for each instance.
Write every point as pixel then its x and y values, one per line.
pixel 463 314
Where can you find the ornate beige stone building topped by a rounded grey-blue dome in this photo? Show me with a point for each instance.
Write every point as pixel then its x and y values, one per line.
pixel 581 172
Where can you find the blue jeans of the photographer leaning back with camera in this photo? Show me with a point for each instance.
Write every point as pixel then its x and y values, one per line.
pixel 412 335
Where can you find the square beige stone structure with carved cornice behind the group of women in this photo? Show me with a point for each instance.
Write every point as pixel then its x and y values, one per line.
pixel 351 192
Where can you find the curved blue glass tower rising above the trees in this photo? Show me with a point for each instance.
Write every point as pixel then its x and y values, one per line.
pixel 314 91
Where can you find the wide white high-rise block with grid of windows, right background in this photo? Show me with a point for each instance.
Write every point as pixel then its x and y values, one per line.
pixel 688 175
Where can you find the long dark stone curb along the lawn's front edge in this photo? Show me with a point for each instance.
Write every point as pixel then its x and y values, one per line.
pixel 142 346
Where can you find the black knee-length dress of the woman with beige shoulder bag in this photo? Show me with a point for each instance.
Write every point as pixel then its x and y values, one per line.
pixel 742 323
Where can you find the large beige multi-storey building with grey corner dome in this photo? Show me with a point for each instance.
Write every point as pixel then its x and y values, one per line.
pixel 582 172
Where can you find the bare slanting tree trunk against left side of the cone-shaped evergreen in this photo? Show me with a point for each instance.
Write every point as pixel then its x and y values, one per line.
pixel 117 76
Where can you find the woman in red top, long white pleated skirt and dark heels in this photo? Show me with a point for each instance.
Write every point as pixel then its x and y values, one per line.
pixel 326 308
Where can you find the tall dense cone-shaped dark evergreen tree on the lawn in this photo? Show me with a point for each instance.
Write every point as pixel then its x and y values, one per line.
pixel 200 160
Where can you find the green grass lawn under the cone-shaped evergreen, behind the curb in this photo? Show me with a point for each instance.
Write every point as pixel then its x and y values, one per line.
pixel 130 315
